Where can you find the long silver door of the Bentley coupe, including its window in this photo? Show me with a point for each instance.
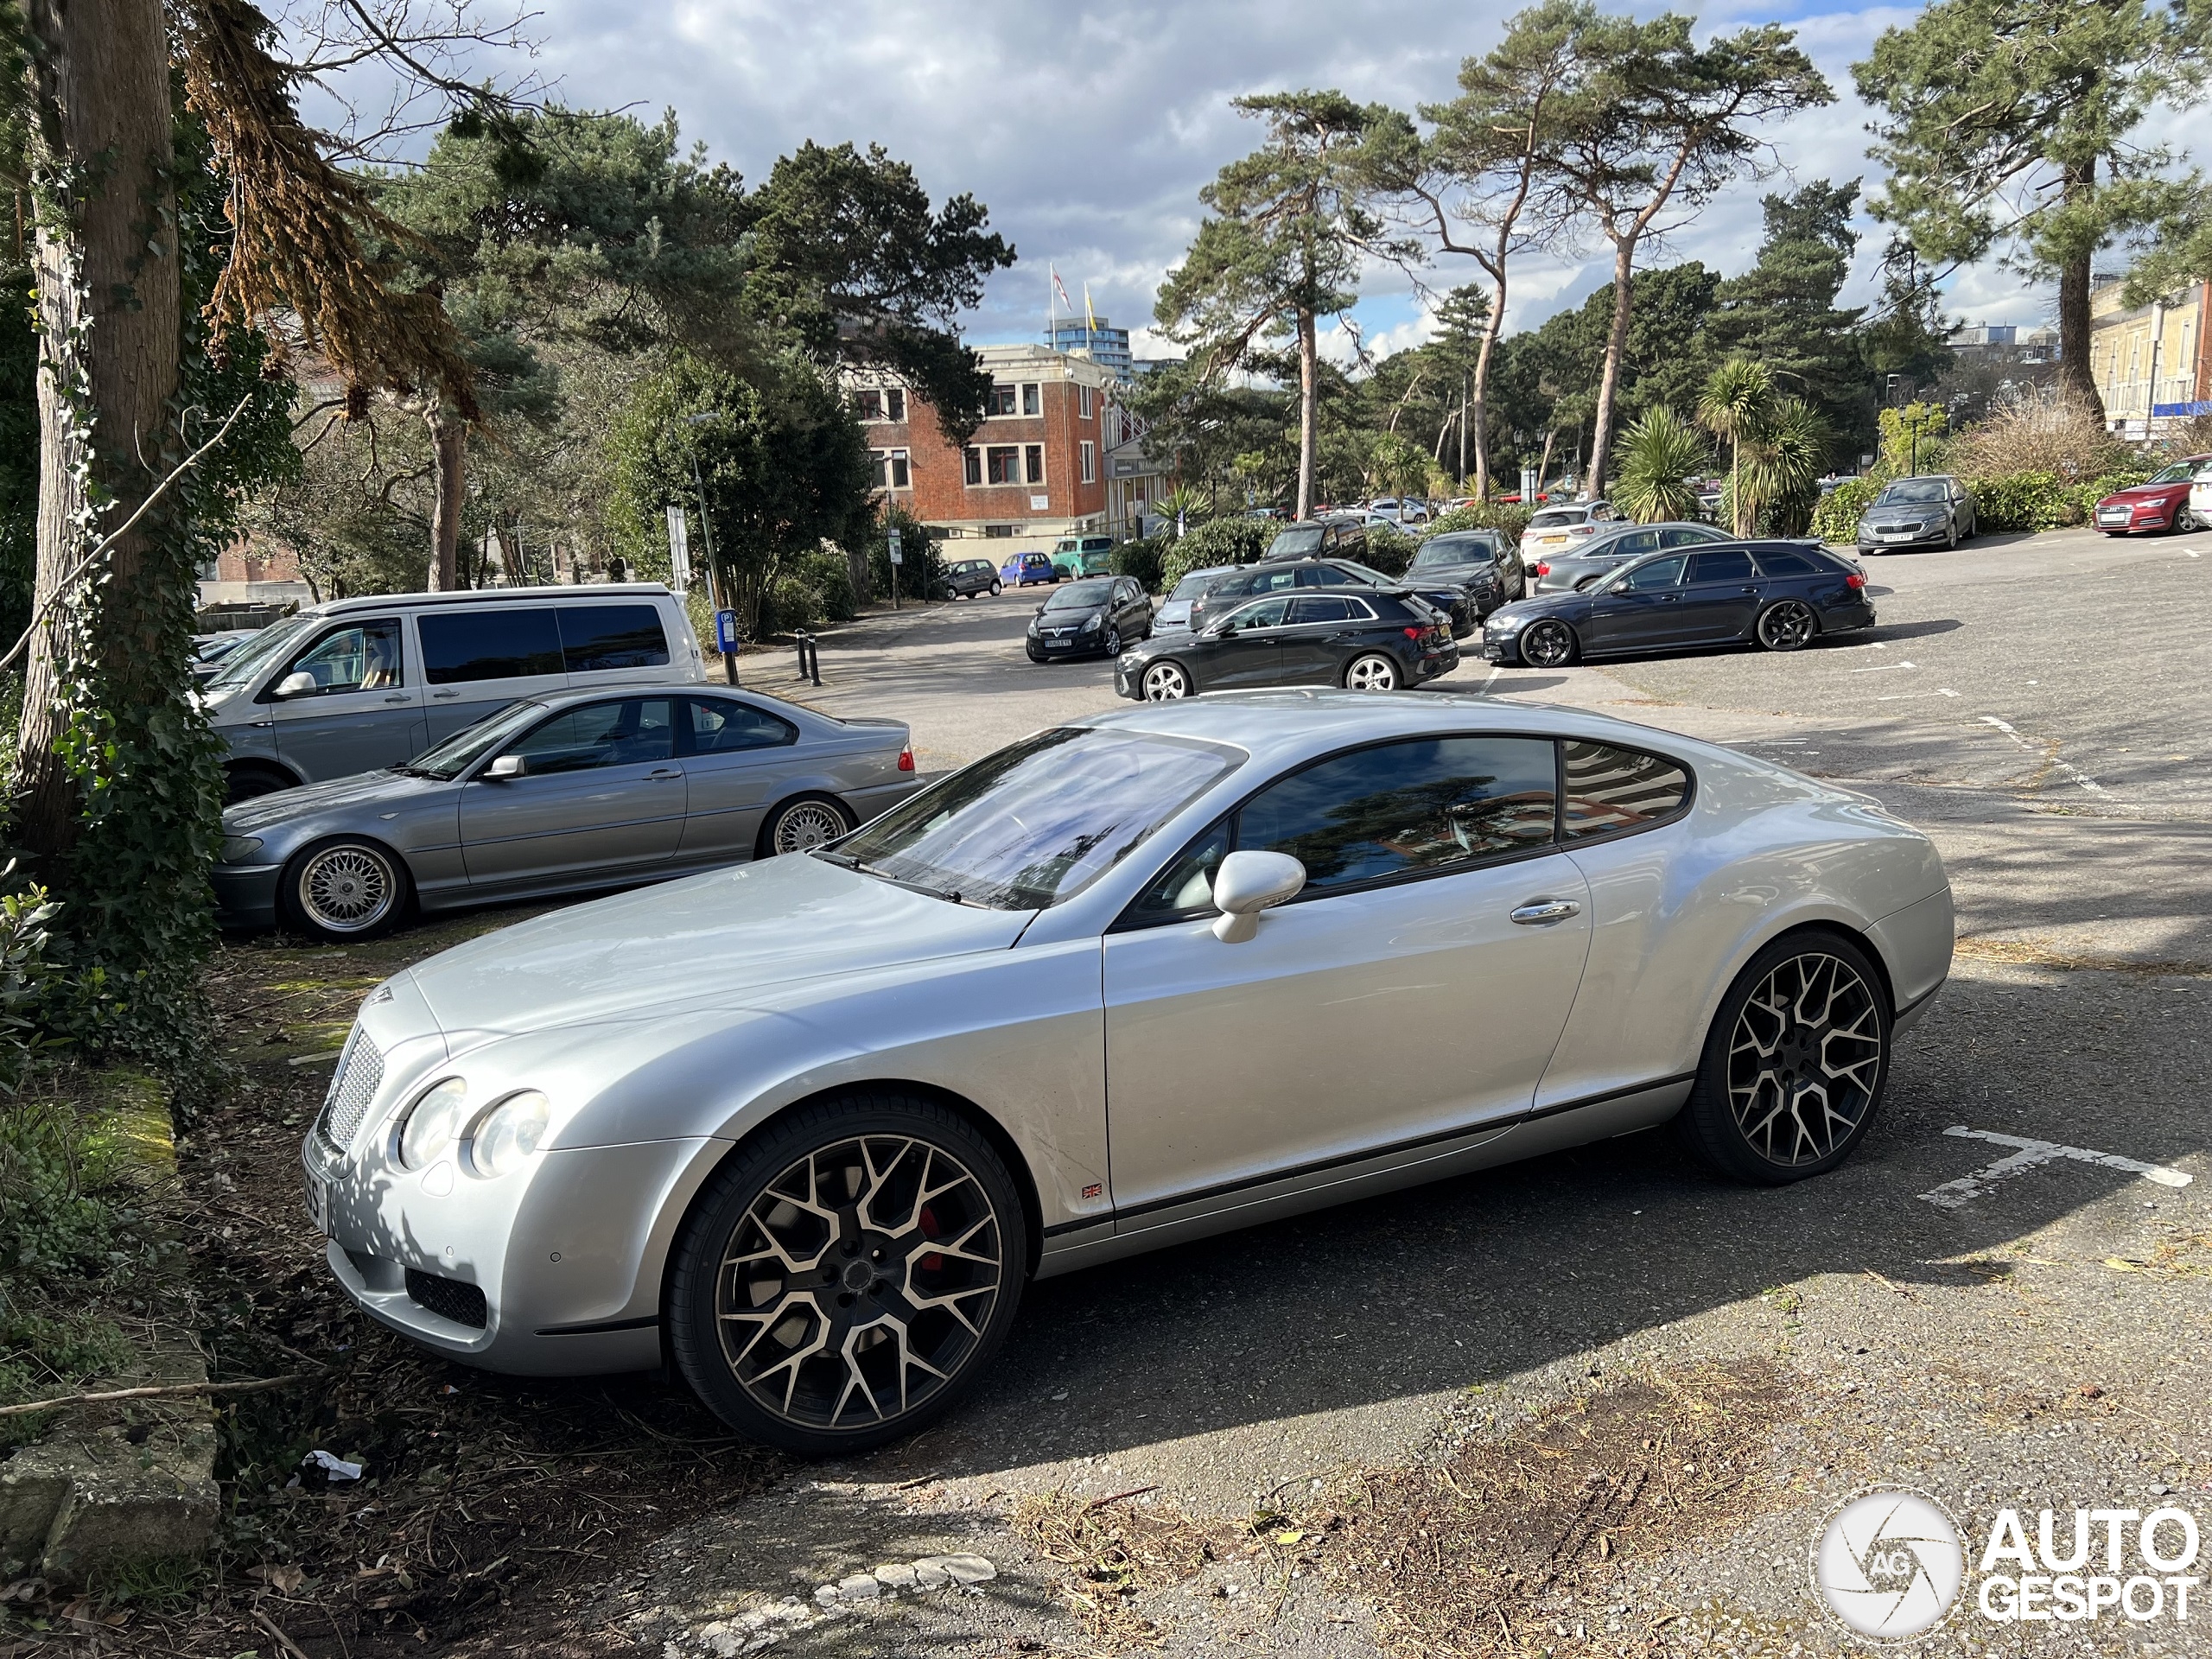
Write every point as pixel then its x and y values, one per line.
pixel 1397 1001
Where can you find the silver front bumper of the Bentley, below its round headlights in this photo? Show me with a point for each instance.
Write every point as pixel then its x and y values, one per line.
pixel 567 1255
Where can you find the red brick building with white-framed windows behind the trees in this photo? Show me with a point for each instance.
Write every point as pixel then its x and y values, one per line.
pixel 1036 468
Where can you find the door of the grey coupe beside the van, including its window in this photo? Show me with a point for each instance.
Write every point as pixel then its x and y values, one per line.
pixel 603 791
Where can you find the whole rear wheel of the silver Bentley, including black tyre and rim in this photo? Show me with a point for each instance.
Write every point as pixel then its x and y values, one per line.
pixel 1795 1065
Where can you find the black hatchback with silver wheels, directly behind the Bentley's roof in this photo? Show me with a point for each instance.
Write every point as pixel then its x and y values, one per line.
pixel 1357 638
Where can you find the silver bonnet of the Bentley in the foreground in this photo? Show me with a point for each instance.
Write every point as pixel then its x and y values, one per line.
pixel 702 943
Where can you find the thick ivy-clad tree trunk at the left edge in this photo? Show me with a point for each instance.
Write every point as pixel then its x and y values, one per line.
pixel 109 335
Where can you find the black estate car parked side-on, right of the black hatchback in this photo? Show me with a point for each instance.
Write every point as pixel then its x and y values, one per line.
pixel 1775 594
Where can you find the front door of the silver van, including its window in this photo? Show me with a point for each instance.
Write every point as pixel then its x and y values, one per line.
pixel 366 711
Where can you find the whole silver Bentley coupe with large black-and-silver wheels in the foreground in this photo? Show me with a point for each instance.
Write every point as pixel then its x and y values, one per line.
pixel 811 1125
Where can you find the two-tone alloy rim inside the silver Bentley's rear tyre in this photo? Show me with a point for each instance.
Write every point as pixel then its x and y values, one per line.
pixel 1806 1061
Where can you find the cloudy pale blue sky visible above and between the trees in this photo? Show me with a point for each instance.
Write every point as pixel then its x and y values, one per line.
pixel 1087 129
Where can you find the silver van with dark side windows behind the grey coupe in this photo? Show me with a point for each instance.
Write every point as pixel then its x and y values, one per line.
pixel 364 685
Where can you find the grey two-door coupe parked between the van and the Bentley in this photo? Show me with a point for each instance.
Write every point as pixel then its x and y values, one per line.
pixel 559 795
